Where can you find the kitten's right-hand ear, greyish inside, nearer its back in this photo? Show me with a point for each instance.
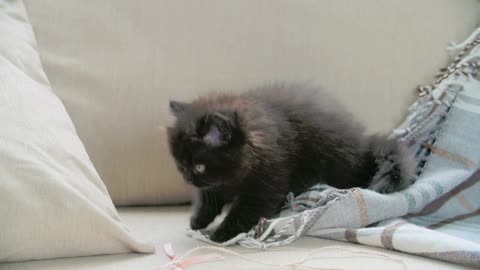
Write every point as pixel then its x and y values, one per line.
pixel 220 128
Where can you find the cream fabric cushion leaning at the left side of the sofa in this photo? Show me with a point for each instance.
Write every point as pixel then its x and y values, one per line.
pixel 53 203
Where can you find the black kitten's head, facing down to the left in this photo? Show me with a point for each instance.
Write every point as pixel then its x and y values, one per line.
pixel 207 145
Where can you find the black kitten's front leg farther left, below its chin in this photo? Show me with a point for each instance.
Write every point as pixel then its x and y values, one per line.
pixel 207 205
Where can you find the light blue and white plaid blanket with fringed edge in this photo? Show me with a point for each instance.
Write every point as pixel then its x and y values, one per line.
pixel 439 215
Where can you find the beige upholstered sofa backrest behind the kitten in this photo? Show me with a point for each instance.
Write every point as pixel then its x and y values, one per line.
pixel 115 64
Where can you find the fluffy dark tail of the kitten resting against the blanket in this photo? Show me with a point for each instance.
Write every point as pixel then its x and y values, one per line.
pixel 394 164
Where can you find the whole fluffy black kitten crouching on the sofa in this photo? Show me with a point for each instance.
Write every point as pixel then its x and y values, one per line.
pixel 254 148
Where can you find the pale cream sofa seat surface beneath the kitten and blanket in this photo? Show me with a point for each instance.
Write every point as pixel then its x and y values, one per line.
pixel 168 224
